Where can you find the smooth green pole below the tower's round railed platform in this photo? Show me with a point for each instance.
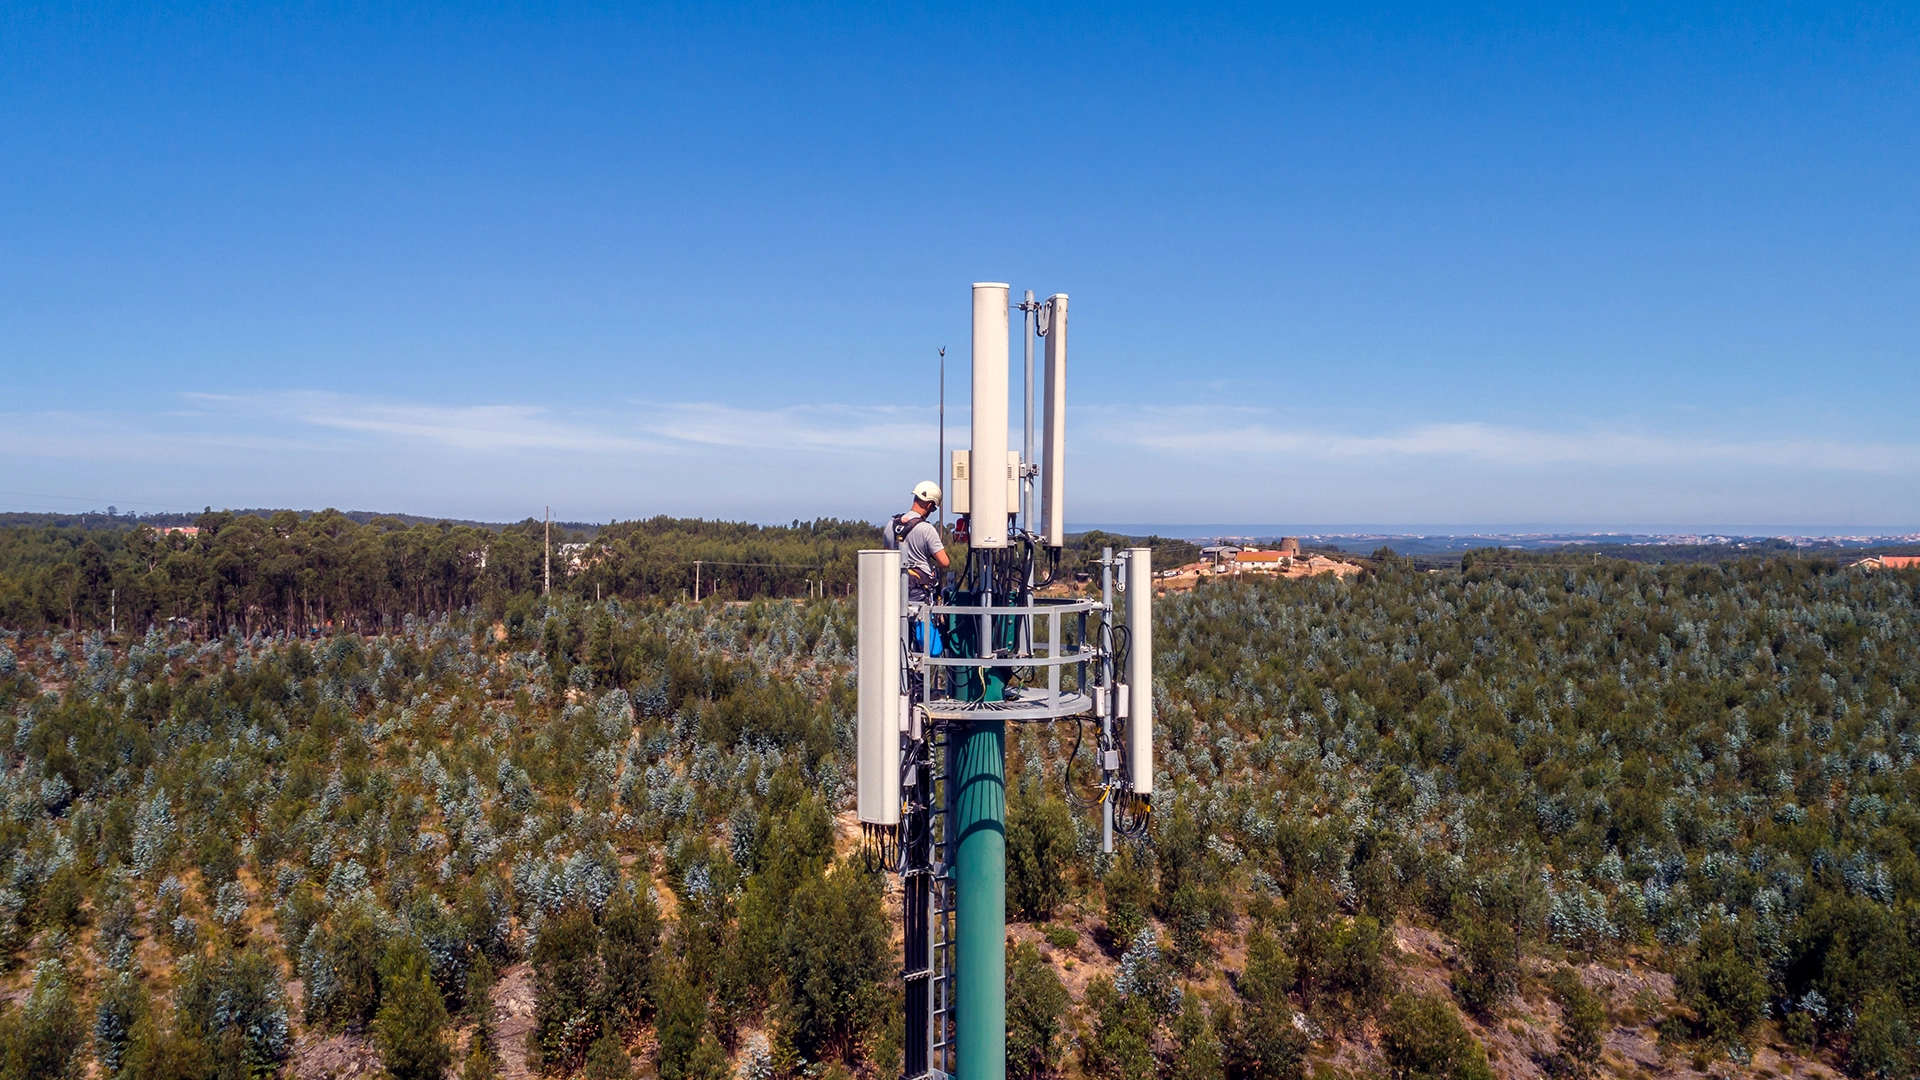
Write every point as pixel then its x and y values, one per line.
pixel 980 866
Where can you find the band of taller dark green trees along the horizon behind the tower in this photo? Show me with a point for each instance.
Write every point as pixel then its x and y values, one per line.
pixel 254 574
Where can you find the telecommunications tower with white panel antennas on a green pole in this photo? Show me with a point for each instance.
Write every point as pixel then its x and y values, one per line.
pixel 942 677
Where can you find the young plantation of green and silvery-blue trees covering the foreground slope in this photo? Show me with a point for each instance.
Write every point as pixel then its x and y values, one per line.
pixel 220 850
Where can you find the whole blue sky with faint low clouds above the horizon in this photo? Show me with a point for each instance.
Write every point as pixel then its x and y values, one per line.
pixel 1328 266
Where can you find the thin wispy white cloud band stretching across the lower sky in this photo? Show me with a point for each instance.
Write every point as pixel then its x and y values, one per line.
pixel 314 420
